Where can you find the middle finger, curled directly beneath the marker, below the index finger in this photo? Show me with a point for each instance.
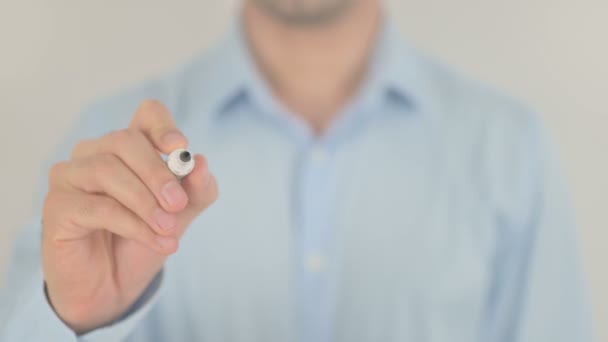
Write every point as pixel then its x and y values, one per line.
pixel 136 151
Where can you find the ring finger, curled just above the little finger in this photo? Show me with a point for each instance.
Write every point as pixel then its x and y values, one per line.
pixel 107 174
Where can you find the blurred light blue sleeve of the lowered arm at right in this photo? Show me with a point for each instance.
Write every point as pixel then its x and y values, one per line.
pixel 539 292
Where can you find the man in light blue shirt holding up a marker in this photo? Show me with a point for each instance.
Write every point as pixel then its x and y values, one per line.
pixel 368 194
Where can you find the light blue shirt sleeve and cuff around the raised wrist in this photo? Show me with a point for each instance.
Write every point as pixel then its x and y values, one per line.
pixel 26 314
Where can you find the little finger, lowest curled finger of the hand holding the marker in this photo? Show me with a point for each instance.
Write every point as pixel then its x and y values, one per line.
pixel 74 215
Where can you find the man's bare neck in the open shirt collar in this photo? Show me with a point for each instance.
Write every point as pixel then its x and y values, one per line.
pixel 314 70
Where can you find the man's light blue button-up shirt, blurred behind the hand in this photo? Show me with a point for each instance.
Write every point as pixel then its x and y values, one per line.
pixel 432 210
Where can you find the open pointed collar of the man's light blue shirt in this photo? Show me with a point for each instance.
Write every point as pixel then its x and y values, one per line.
pixel 395 73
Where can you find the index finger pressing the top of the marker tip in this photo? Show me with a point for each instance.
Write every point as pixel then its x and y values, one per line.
pixel 156 122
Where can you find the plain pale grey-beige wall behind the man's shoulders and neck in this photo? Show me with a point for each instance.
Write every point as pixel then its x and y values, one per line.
pixel 56 56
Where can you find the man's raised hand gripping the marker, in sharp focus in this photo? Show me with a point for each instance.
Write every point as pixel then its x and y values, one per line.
pixel 113 214
